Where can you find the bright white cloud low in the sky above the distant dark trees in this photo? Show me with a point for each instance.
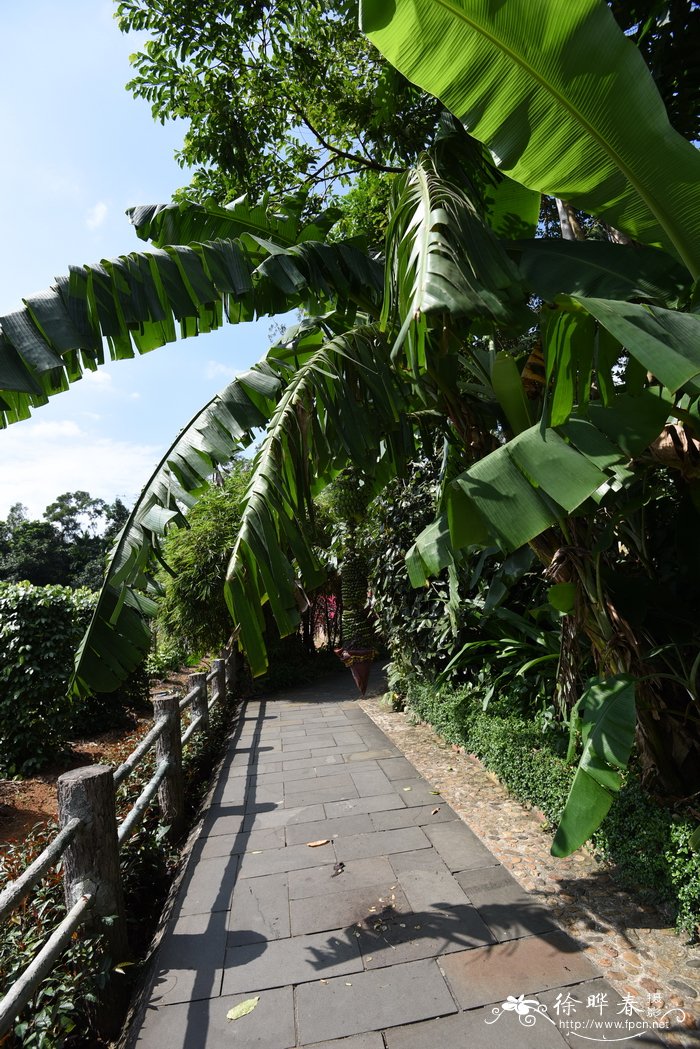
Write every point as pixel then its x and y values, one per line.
pixel 43 460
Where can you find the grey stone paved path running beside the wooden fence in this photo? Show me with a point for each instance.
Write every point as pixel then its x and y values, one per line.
pixel 396 930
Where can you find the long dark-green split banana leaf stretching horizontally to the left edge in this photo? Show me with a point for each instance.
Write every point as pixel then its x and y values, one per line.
pixel 136 304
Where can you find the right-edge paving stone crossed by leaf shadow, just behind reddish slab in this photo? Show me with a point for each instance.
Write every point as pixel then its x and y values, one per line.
pixel 508 911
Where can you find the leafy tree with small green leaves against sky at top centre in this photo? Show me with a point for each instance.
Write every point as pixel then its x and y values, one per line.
pixel 278 97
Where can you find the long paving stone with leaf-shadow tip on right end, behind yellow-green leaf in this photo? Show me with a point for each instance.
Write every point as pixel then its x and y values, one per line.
pixel 298 960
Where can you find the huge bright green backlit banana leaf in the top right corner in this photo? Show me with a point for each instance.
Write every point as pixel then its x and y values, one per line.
pixel 562 99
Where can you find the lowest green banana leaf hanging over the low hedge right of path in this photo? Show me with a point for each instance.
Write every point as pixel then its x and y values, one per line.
pixel 608 717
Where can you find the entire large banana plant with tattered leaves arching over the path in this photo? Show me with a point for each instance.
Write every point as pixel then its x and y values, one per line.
pixel 360 377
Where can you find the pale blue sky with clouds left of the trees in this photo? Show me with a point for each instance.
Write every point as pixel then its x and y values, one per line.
pixel 77 152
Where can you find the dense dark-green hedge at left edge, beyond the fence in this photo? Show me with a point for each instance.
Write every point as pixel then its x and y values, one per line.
pixel 39 631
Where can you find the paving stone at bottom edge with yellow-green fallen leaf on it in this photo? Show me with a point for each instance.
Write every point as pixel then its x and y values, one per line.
pixel 269 1026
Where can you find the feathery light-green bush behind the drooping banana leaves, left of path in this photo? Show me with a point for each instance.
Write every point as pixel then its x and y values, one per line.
pixel 194 611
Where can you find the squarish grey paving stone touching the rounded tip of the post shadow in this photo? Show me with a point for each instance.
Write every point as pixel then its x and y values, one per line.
pixel 260 910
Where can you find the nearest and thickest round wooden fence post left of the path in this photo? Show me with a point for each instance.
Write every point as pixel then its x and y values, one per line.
pixel 92 865
